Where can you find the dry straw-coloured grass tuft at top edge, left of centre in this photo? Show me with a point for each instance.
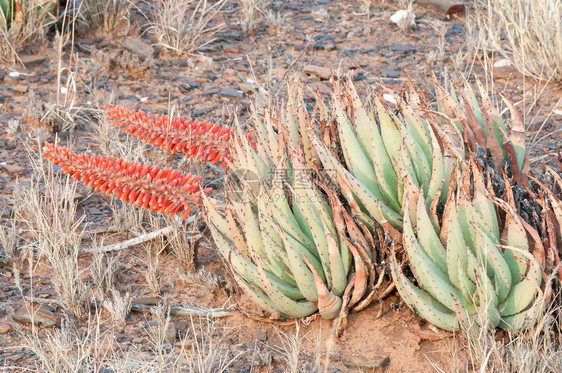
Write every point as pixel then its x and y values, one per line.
pixel 183 26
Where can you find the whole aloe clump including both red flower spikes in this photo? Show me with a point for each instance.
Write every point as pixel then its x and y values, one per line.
pixel 291 244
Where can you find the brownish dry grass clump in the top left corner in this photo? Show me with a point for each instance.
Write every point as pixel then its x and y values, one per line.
pixel 27 30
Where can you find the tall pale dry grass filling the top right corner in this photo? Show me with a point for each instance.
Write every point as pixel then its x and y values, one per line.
pixel 526 32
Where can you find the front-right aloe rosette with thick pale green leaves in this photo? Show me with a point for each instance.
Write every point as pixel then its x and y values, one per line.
pixel 466 270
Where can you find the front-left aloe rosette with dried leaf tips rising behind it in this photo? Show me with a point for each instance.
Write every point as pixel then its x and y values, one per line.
pixel 288 242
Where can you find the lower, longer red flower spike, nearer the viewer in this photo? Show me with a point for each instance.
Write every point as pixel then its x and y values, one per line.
pixel 162 190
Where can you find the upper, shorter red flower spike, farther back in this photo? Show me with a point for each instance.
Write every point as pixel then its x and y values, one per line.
pixel 204 141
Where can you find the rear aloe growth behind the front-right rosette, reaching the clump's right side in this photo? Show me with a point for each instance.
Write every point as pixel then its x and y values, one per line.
pixel 385 151
